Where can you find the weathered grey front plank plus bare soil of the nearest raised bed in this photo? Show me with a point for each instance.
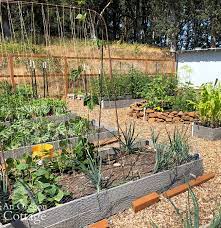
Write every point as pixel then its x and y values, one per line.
pixel 128 176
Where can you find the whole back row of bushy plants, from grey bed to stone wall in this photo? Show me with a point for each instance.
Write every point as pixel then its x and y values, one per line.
pixel 162 92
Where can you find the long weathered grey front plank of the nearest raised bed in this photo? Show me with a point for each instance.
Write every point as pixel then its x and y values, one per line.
pixel 90 209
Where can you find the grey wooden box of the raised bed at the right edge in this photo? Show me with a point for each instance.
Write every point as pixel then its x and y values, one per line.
pixel 206 132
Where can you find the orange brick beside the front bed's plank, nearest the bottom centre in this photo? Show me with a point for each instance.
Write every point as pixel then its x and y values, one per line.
pixel 145 201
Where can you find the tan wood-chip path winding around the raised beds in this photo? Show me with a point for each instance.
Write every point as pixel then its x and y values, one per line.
pixel 163 213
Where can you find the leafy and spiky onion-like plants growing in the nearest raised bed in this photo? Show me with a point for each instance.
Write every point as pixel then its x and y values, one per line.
pixel 32 181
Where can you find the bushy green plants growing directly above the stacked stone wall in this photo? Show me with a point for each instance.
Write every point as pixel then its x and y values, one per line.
pixel 165 93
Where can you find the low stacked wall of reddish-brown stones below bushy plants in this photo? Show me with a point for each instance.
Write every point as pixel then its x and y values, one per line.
pixel 151 115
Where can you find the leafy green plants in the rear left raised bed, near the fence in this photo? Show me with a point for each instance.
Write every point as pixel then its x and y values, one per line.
pixel 21 105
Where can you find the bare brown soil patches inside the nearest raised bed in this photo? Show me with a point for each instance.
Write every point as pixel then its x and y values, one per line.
pixel 115 171
